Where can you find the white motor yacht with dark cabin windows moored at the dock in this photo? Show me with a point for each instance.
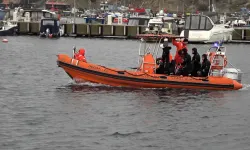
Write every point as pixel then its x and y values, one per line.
pixel 206 29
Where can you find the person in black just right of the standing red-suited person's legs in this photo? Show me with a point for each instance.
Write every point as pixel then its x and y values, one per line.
pixel 186 66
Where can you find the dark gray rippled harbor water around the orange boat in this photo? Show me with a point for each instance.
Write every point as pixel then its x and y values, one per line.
pixel 42 109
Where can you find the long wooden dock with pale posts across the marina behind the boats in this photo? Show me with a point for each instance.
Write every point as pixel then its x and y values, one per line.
pixel 240 35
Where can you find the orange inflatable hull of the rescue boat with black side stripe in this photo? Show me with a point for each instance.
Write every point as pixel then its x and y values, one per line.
pixel 81 72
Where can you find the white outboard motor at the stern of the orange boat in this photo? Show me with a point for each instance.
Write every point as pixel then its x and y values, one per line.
pixel 233 73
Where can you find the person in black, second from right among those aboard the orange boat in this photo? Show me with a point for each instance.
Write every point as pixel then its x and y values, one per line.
pixel 195 62
